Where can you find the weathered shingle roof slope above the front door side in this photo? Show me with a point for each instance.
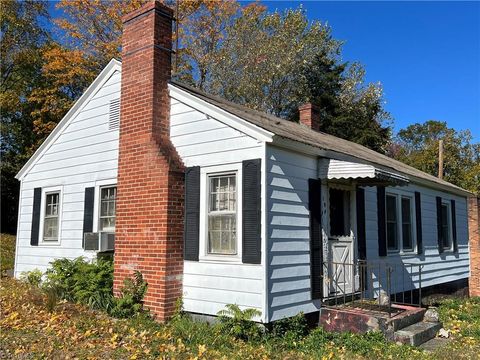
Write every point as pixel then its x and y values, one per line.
pixel 301 133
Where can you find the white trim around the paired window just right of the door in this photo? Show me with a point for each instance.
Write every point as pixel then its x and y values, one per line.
pixel 399 195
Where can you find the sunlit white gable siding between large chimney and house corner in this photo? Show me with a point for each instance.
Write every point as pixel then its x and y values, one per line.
pixel 204 141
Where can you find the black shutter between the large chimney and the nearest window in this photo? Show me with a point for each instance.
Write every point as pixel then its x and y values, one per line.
pixel 192 213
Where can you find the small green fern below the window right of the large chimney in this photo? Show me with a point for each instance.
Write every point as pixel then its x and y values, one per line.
pixel 238 322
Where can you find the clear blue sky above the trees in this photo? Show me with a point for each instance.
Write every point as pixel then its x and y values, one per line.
pixel 426 54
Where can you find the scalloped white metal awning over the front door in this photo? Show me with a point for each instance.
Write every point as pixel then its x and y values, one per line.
pixel 364 174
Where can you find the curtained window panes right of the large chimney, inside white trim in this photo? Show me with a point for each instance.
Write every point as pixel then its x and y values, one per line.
pixel 222 215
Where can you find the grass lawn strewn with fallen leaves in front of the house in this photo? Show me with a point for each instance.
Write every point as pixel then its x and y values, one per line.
pixel 29 330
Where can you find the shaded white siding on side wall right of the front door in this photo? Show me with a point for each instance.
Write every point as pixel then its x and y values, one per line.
pixel 437 268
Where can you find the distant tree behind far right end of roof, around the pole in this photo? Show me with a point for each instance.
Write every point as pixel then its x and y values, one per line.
pixel 417 145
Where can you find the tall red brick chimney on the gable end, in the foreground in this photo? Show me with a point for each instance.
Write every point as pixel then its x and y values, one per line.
pixel 149 224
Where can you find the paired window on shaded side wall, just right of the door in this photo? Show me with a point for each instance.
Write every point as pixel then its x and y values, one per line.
pixel 399 222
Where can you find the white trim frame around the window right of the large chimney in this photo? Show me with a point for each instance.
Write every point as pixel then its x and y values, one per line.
pixel 205 172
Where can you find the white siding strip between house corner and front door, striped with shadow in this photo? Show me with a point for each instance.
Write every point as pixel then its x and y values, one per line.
pixel 288 232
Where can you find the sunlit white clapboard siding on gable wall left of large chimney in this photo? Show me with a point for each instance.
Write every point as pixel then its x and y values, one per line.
pixel 86 151
